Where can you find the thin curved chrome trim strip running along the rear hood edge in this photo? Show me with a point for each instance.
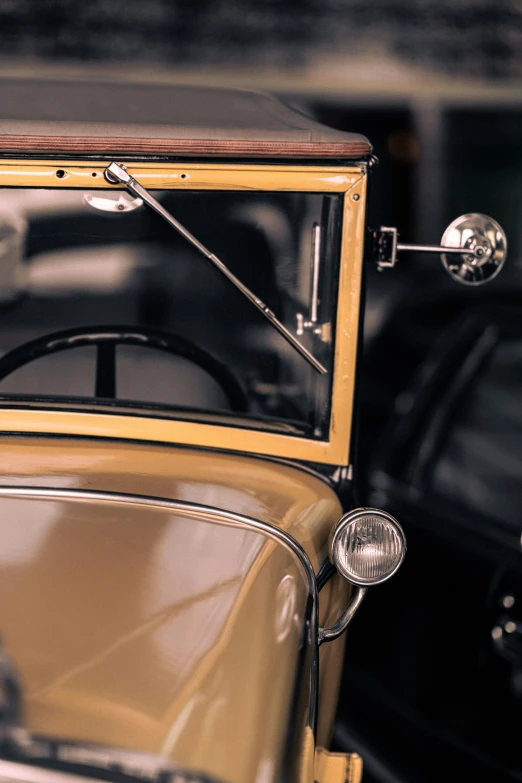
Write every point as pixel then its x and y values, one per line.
pixel 201 510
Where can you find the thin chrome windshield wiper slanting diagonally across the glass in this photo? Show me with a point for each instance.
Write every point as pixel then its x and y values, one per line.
pixel 116 174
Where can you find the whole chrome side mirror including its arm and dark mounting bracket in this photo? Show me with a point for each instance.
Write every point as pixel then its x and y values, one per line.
pixel 473 249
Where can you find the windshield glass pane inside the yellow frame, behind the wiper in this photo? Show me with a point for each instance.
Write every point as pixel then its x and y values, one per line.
pixel 192 346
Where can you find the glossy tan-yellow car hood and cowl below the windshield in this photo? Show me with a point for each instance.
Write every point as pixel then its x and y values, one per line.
pixel 168 629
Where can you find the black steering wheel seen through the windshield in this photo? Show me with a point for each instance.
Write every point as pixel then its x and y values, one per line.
pixel 106 338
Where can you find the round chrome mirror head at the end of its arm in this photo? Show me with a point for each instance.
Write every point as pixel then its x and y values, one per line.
pixel 484 249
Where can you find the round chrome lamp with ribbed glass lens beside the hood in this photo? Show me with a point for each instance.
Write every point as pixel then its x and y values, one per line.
pixel 367 546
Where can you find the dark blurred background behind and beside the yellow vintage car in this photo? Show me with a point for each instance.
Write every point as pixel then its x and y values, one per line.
pixel 433 681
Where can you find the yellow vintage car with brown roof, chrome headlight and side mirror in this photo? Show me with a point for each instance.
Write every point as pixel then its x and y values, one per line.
pixel 180 318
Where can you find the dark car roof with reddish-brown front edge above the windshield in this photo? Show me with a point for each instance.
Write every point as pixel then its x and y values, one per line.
pixel 159 119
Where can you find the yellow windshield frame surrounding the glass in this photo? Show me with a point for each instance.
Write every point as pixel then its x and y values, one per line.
pixel 350 180
